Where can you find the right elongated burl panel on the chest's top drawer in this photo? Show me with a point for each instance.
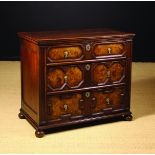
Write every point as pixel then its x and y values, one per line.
pixel 102 50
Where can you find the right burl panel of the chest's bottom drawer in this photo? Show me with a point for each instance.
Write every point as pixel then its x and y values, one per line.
pixel 108 99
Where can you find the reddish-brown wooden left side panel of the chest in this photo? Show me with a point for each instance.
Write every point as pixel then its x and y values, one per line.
pixel 30 78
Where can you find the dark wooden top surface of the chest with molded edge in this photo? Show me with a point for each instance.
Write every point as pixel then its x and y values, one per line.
pixel 40 37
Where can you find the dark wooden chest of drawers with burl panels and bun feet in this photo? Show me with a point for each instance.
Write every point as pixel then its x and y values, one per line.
pixel 72 77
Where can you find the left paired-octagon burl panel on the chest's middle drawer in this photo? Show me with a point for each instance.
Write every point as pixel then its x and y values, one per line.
pixel 65 76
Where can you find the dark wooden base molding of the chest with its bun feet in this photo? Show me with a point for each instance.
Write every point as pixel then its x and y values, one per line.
pixel 40 130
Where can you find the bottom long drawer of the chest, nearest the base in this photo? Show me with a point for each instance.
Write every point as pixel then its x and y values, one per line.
pixel 86 103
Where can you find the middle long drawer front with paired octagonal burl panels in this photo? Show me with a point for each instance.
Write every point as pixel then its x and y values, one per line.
pixel 85 75
